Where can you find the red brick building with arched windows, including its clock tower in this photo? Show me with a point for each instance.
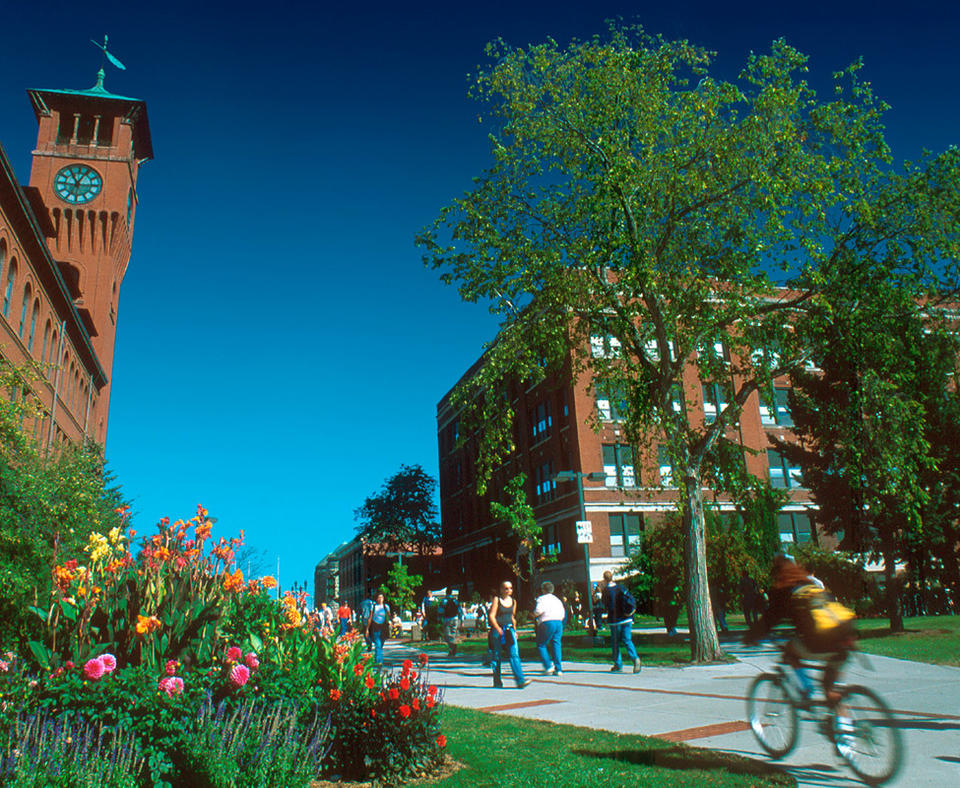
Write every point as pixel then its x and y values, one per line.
pixel 65 242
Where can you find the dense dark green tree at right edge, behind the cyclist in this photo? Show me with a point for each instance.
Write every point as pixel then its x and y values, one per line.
pixel 878 426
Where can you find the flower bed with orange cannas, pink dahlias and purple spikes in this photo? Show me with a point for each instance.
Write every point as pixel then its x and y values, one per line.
pixel 173 670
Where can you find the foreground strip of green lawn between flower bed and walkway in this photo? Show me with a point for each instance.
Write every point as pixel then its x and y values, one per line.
pixel 507 752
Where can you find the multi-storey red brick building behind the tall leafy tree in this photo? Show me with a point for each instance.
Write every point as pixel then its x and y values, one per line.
pixel 636 492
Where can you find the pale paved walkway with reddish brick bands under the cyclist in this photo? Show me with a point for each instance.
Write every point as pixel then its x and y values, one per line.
pixel 705 706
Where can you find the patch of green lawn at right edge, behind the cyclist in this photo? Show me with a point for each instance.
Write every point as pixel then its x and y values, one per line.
pixel 933 639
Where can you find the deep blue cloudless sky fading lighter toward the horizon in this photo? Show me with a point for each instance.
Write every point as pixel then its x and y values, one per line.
pixel 281 349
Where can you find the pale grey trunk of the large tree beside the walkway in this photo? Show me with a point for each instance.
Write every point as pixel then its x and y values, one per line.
pixel 704 644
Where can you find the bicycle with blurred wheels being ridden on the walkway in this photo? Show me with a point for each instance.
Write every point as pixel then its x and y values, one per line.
pixel 869 743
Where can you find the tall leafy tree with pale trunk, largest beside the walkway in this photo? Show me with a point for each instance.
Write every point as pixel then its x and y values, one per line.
pixel 640 210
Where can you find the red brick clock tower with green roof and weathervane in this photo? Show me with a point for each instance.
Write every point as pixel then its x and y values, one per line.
pixel 90 146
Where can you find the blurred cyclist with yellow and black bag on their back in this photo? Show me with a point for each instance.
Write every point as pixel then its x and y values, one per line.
pixel 824 627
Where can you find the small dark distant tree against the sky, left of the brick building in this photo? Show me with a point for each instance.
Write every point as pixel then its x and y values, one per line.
pixel 402 515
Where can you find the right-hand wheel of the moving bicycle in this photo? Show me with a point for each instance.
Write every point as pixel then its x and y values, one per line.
pixel 870 743
